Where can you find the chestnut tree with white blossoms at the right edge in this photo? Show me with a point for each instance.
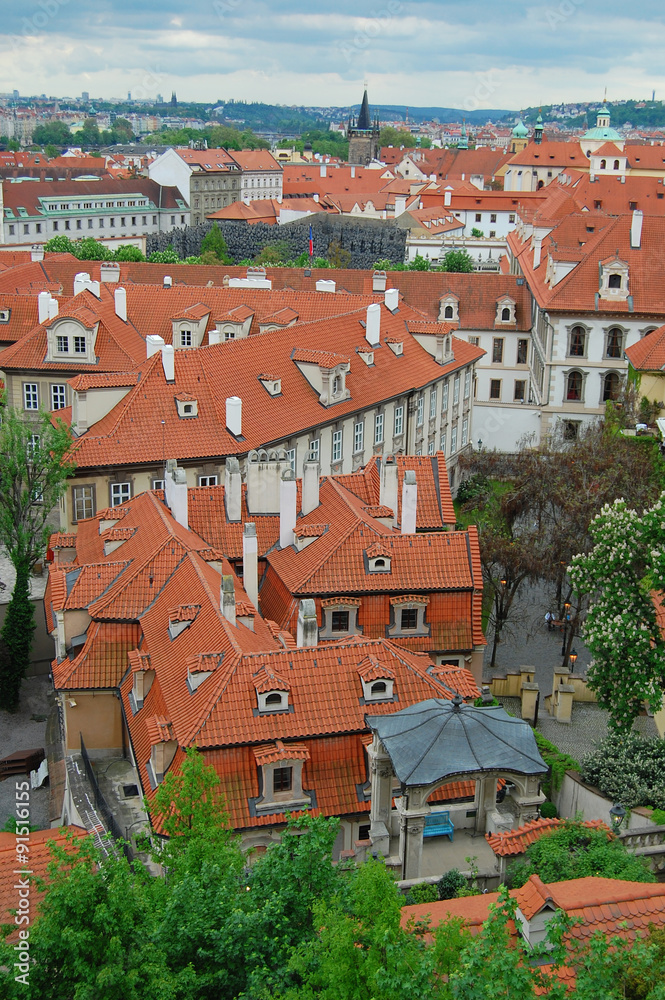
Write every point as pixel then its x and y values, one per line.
pixel 621 573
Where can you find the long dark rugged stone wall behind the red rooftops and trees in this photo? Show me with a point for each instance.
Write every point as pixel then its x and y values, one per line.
pixel 368 240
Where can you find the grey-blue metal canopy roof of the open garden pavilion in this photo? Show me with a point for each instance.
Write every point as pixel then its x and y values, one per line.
pixel 437 739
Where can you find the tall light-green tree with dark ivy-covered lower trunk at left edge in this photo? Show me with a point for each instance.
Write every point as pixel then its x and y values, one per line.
pixel 34 466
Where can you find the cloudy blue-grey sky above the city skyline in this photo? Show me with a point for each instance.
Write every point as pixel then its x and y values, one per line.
pixel 479 54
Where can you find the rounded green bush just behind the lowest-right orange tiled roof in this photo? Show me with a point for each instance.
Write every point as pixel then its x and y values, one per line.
pixel 572 850
